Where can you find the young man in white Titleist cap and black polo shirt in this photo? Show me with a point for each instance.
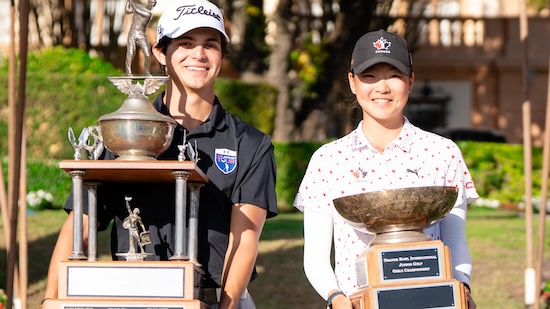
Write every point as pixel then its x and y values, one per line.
pixel 236 157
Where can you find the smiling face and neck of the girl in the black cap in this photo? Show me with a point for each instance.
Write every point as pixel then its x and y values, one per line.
pixel 382 92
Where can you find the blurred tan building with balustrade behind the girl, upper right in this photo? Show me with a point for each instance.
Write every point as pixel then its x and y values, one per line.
pixel 467 57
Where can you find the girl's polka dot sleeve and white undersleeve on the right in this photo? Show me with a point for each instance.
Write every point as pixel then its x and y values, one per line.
pixel 453 226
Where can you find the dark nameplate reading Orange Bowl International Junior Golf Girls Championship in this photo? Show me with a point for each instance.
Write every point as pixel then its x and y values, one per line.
pixel 410 264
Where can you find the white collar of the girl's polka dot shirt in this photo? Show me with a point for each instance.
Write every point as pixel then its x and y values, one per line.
pixel 403 141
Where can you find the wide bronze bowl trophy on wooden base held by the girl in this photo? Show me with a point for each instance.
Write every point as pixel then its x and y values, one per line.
pixel 403 268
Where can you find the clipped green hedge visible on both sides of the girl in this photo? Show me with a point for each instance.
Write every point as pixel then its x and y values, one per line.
pixel 497 170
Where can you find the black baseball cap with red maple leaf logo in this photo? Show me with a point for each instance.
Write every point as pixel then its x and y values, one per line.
pixel 381 47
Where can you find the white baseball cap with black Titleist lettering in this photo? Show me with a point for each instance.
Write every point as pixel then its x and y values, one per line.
pixel 182 16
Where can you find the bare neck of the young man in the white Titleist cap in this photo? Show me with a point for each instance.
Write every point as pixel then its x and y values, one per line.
pixel 189 109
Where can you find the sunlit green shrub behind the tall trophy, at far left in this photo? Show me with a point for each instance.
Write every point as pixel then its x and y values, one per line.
pixel 64 88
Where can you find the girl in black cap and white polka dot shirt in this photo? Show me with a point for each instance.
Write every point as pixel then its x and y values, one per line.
pixel 385 151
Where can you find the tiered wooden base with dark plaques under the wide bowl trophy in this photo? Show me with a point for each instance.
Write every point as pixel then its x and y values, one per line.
pixel 413 275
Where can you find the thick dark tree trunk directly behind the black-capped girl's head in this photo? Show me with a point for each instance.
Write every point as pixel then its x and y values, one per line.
pixel 333 112
